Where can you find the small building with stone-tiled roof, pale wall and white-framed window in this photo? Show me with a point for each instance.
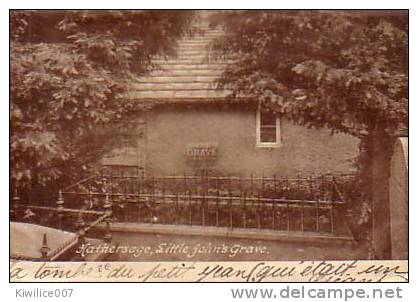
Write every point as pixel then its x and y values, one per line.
pixel 192 125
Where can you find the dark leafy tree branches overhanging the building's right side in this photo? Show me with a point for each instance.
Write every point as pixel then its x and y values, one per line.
pixel 344 70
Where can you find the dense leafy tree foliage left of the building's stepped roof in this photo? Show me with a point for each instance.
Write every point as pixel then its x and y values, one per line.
pixel 68 79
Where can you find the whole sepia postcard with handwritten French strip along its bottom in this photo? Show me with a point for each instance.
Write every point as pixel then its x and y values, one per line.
pixel 209 145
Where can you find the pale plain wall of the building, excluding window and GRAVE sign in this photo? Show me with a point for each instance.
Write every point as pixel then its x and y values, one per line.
pixel 171 128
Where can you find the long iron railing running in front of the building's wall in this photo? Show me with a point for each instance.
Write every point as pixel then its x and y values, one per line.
pixel 304 204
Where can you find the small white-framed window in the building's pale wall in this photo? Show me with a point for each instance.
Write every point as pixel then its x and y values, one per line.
pixel 267 129
